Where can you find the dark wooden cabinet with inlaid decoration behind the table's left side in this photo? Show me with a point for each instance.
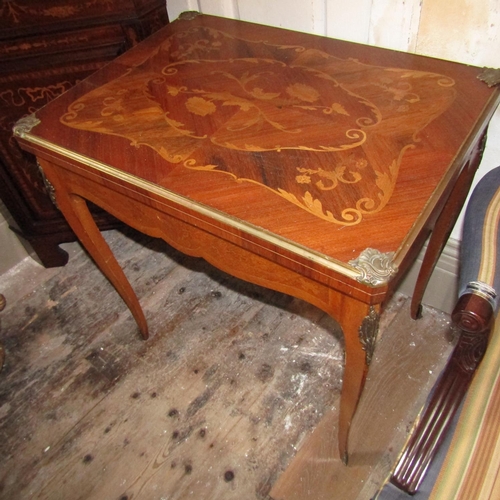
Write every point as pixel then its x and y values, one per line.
pixel 45 48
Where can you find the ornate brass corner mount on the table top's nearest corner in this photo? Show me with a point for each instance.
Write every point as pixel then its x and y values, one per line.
pixel 375 268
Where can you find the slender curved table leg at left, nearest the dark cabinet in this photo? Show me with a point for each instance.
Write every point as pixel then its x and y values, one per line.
pixel 75 210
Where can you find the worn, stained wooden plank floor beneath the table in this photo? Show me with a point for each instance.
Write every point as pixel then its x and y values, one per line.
pixel 235 396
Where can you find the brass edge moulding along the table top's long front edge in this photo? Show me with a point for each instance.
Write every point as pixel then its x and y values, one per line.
pixel 347 270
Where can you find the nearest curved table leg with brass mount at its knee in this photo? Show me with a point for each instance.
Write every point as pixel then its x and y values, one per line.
pixel 359 322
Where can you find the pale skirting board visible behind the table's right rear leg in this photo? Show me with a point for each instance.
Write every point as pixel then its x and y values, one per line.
pixel 441 293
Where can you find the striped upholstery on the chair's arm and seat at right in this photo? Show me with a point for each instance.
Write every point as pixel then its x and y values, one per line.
pixel 471 470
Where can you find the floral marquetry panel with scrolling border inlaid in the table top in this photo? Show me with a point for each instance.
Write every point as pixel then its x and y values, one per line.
pixel 213 102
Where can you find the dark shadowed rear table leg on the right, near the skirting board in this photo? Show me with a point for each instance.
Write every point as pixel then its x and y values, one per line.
pixel 443 228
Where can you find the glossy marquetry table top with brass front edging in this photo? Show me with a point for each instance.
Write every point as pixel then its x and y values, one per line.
pixel 323 146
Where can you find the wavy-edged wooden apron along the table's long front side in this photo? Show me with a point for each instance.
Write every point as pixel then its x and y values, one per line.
pixel 227 249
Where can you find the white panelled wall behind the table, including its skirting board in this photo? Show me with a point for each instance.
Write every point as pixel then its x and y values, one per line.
pixel 466 31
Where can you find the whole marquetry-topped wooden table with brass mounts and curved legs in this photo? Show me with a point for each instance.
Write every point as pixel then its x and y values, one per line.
pixel 311 166
